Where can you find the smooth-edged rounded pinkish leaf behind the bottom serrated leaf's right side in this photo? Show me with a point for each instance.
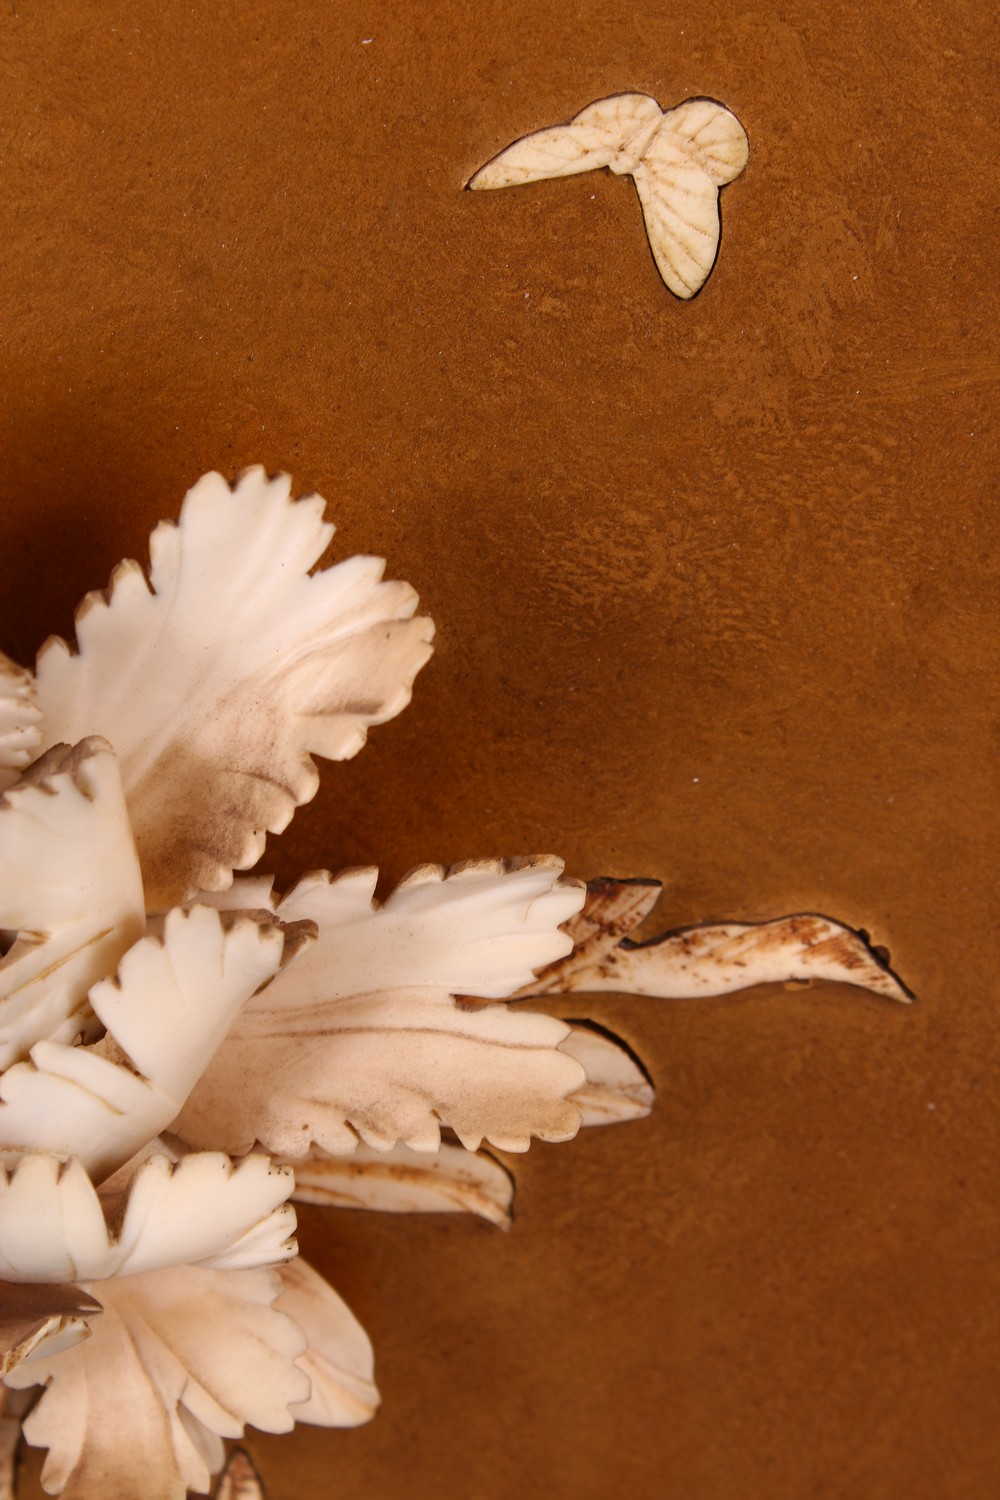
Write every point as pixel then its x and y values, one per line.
pixel 338 1358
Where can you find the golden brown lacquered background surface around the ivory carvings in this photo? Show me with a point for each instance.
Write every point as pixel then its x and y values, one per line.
pixel 717 589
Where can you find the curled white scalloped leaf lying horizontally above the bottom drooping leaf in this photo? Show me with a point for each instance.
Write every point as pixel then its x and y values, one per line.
pixel 203 1210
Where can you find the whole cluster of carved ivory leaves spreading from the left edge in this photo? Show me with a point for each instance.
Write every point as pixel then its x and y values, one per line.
pixel 185 1052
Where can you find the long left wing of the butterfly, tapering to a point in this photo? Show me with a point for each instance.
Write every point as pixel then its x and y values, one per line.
pixel 596 137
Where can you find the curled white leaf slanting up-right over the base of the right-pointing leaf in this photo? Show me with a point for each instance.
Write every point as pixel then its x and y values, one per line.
pixel 167 1012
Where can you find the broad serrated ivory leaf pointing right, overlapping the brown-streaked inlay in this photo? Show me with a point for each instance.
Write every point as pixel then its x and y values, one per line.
pixel 365 1040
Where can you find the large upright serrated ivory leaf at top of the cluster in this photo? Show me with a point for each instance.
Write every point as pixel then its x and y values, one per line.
pixel 221 682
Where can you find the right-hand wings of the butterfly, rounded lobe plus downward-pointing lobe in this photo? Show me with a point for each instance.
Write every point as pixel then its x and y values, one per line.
pixel 698 149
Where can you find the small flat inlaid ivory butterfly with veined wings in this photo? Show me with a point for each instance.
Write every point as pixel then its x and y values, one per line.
pixel 678 160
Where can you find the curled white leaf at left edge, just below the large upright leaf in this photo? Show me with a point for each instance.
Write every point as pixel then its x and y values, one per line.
pixel 71 893
